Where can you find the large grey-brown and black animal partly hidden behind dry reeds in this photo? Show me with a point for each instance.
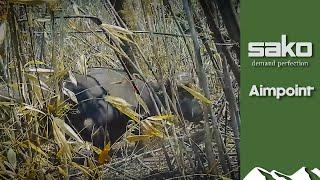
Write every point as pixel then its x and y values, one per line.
pixel 98 121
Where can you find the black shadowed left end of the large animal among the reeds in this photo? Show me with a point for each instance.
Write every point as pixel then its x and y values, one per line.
pixel 96 120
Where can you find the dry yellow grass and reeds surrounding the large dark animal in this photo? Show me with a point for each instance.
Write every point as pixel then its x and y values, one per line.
pixel 33 144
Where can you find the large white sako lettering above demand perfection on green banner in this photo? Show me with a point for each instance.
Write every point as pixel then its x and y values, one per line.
pixel 280 49
